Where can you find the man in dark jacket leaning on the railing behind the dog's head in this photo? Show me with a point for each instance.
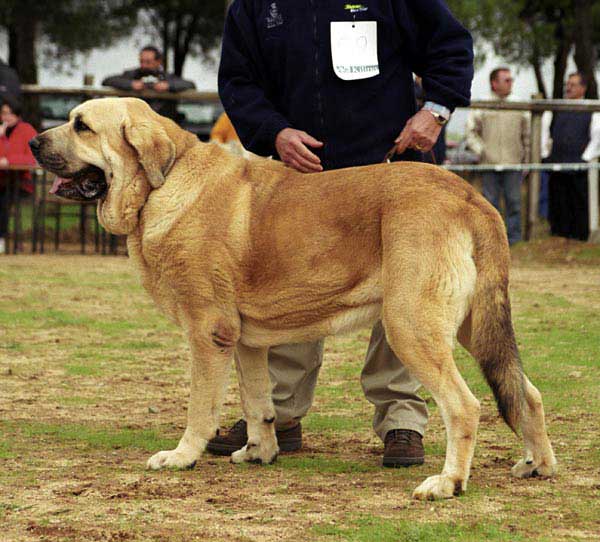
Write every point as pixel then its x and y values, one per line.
pixel 151 76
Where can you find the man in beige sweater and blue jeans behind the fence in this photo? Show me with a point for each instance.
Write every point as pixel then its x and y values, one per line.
pixel 501 137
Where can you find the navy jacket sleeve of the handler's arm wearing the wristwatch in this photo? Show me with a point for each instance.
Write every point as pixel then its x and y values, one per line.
pixel 440 50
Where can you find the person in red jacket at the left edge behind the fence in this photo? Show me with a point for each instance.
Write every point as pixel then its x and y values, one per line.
pixel 14 151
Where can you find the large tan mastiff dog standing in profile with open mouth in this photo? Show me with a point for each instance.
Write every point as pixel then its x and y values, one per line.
pixel 246 254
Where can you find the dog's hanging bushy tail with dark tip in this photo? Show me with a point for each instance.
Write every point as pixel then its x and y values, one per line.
pixel 493 342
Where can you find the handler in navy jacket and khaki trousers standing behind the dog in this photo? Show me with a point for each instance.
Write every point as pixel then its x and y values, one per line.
pixel 327 85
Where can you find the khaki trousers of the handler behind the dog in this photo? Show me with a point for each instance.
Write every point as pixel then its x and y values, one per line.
pixel 386 383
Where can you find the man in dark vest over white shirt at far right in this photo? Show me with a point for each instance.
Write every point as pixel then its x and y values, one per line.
pixel 570 137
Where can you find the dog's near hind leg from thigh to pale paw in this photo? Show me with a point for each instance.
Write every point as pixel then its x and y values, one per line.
pixel 422 311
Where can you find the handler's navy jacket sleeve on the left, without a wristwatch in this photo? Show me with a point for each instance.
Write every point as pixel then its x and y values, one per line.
pixel 243 84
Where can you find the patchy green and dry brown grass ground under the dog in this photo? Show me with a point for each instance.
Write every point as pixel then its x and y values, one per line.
pixel 93 380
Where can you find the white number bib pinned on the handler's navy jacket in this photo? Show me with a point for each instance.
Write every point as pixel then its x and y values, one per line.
pixel 354 49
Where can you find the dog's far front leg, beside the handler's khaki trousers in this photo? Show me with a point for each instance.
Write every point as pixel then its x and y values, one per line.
pixel 255 389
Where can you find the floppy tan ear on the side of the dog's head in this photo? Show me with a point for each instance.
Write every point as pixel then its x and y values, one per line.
pixel 155 149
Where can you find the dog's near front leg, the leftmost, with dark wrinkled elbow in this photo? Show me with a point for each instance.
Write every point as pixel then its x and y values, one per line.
pixel 212 349
